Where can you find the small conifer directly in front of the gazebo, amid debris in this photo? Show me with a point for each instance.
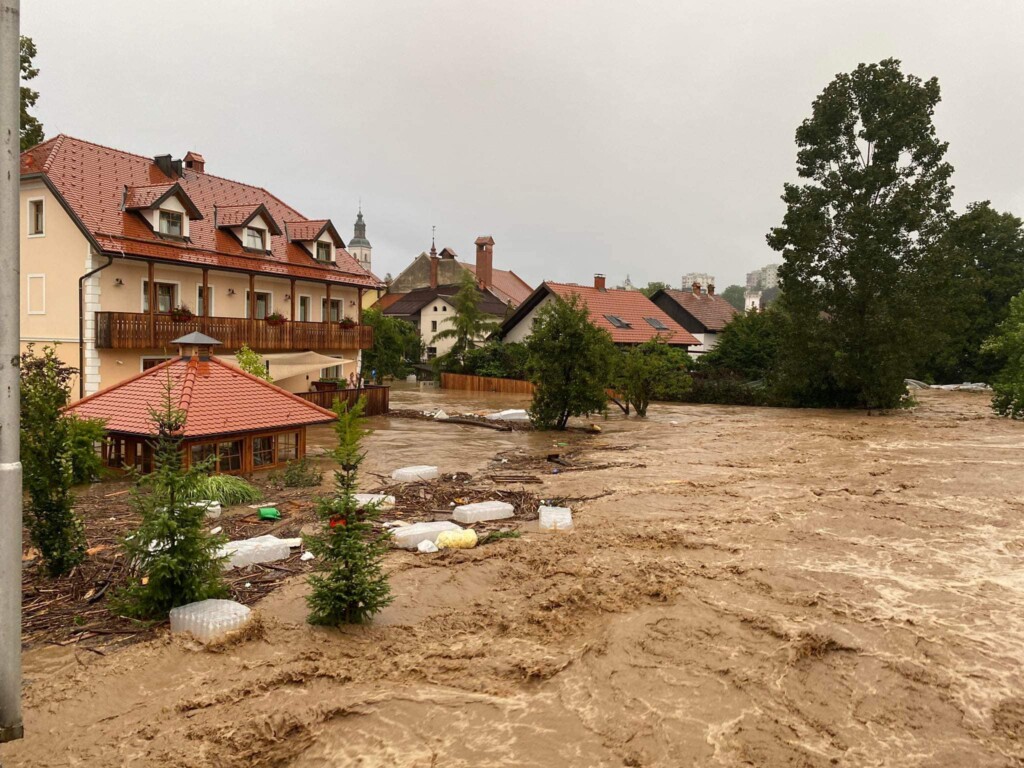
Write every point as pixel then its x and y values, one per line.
pixel 177 561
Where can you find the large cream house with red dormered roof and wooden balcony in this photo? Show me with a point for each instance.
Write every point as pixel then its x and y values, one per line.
pixel 123 253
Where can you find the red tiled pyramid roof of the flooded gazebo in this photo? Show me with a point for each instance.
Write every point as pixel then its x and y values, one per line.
pixel 219 400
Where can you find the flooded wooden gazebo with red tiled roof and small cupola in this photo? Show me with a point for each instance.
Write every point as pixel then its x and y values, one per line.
pixel 244 422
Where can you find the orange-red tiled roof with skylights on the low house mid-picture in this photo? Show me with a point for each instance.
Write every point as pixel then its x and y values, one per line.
pixel 631 307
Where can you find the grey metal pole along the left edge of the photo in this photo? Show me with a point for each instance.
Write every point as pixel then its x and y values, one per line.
pixel 11 466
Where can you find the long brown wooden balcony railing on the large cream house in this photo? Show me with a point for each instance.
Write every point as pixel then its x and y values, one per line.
pixel 140 331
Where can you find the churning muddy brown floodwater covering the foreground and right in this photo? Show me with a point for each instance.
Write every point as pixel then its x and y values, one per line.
pixel 775 588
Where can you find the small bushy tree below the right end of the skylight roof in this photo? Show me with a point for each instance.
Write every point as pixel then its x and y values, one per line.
pixel 653 371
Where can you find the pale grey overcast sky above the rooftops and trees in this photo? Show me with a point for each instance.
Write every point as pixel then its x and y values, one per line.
pixel 648 139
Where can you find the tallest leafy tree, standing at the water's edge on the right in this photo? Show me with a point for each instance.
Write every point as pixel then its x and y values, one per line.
pixel 863 276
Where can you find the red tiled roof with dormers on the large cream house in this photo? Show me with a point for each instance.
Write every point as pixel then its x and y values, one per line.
pixel 95 182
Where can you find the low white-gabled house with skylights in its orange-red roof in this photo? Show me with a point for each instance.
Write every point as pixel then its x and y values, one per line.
pixel 628 316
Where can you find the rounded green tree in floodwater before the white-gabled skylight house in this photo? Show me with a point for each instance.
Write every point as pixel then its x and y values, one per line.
pixel 570 363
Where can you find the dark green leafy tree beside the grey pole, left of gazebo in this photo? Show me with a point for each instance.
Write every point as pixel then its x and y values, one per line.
pixel 48 468
